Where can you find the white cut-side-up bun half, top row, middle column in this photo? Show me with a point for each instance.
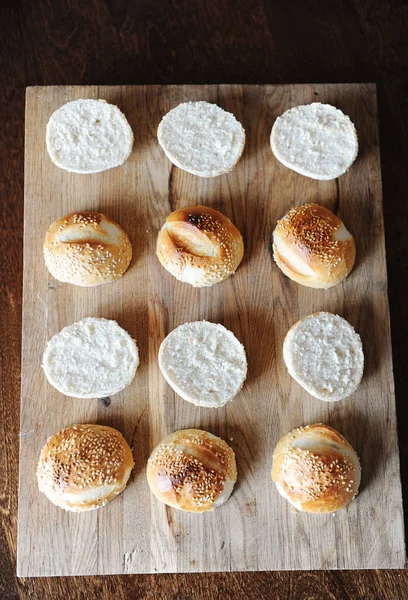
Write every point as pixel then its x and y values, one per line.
pixel 201 138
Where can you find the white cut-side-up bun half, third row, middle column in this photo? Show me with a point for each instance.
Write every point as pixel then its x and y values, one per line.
pixel 204 363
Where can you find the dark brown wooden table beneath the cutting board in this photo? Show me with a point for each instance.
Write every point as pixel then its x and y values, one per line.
pixel 49 42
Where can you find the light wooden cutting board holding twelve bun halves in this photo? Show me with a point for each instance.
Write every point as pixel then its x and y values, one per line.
pixel 256 529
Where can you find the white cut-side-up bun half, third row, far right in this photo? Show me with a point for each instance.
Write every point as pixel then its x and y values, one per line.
pixel 324 354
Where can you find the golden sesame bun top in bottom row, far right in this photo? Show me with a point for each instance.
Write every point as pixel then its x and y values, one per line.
pixel 316 469
